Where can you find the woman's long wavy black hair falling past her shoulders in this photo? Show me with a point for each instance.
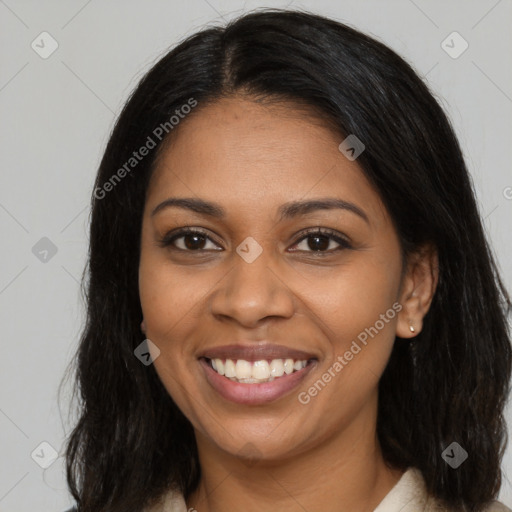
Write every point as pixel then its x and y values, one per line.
pixel 131 443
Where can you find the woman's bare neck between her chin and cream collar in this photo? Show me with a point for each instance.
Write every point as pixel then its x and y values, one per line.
pixel 340 474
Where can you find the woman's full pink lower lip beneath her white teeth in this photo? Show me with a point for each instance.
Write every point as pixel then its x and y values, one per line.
pixel 254 394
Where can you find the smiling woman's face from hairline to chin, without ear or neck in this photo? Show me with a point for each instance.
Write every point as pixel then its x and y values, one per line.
pixel 250 269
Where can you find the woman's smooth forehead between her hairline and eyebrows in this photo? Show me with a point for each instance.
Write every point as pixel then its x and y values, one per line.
pixel 255 155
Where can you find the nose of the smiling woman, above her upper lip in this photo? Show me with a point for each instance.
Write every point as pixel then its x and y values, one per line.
pixel 251 292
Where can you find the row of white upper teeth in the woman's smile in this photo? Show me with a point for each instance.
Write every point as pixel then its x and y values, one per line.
pixel 248 372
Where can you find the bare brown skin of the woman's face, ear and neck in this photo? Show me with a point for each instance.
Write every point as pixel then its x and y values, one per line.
pixel 250 159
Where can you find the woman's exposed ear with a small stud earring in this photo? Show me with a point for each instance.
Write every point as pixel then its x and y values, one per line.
pixel 417 291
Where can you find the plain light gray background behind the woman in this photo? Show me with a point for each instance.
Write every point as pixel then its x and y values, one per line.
pixel 56 115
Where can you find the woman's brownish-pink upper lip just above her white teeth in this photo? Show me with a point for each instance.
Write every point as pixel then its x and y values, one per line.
pixel 256 352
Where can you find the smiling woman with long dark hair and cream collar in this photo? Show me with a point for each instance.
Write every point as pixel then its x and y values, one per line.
pixel 284 211
